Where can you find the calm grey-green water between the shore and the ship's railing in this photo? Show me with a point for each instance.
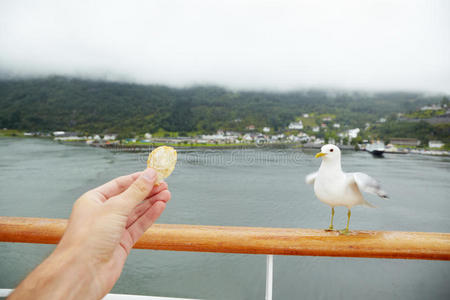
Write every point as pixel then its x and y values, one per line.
pixel 40 178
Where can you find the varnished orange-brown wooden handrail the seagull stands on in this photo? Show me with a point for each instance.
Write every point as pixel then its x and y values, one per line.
pixel 253 240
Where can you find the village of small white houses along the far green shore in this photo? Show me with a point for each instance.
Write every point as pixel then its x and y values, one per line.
pixel 300 133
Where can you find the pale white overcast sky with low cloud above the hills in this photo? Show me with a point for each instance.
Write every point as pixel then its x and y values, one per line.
pixel 373 45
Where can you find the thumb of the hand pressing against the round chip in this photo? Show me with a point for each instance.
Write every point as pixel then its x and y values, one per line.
pixel 137 191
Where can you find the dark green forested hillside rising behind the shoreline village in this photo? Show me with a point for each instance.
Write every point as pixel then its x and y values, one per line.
pixel 58 103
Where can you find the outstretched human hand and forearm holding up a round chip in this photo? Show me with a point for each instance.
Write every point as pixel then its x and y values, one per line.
pixel 104 225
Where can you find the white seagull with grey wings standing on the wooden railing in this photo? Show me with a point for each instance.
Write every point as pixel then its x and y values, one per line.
pixel 334 187
